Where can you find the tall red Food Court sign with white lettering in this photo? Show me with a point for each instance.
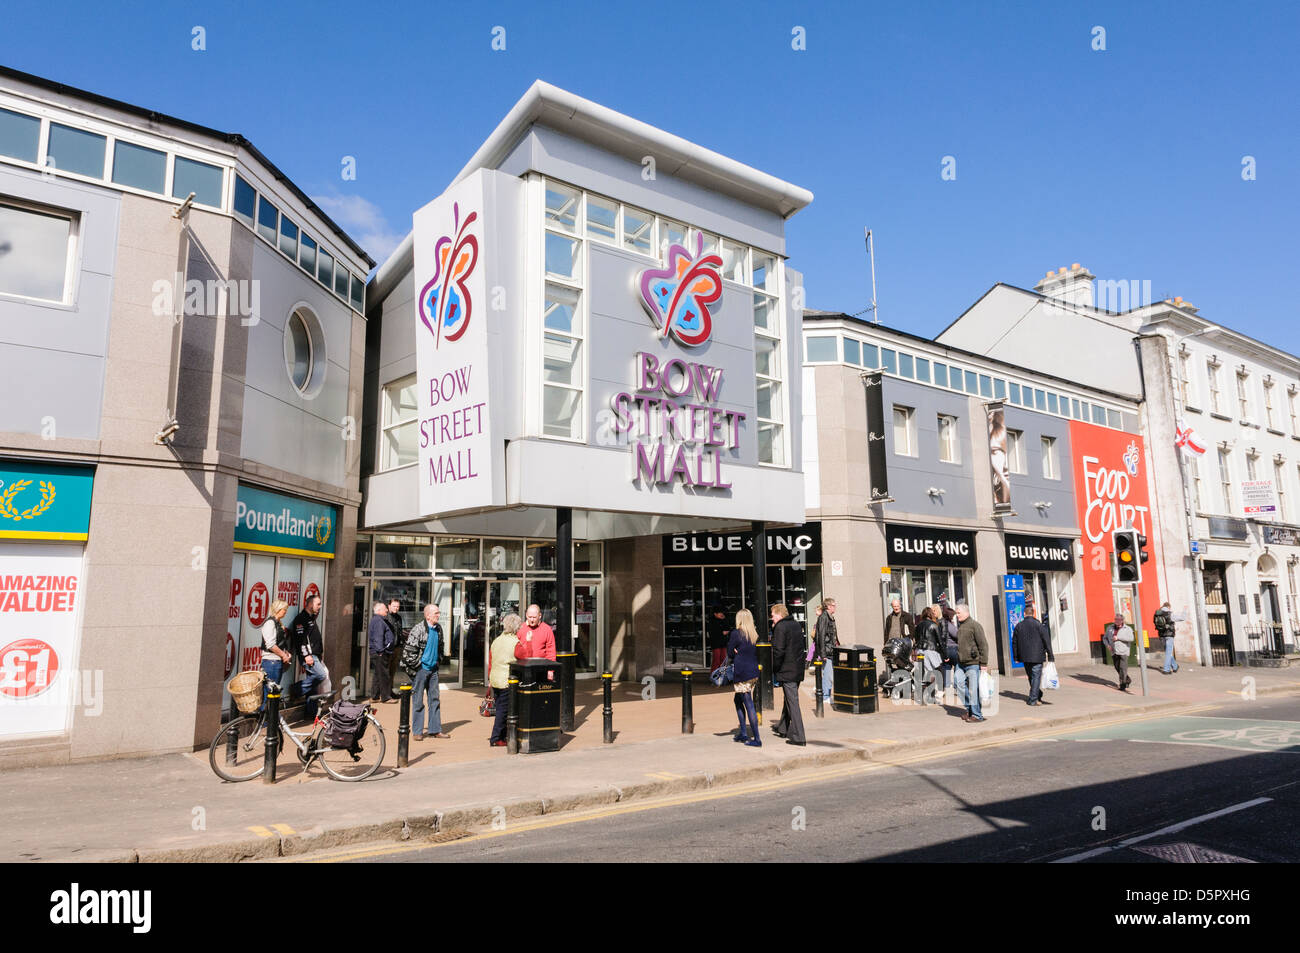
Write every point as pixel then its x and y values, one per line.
pixel 1112 491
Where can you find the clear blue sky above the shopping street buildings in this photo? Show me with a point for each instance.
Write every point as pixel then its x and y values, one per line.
pixel 1128 161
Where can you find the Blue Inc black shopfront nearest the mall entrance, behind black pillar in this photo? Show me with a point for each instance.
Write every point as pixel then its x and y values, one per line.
pixel 709 573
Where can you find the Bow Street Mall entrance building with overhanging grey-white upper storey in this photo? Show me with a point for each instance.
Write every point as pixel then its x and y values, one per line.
pixel 569 359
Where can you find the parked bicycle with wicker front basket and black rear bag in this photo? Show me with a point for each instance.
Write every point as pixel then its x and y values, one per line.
pixel 239 751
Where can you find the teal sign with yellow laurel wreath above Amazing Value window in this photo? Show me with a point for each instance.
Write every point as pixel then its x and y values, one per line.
pixel 42 501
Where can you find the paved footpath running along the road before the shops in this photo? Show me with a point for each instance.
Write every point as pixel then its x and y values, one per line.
pixel 175 808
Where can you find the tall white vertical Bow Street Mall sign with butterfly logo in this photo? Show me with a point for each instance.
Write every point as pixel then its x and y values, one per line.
pixel 461 259
